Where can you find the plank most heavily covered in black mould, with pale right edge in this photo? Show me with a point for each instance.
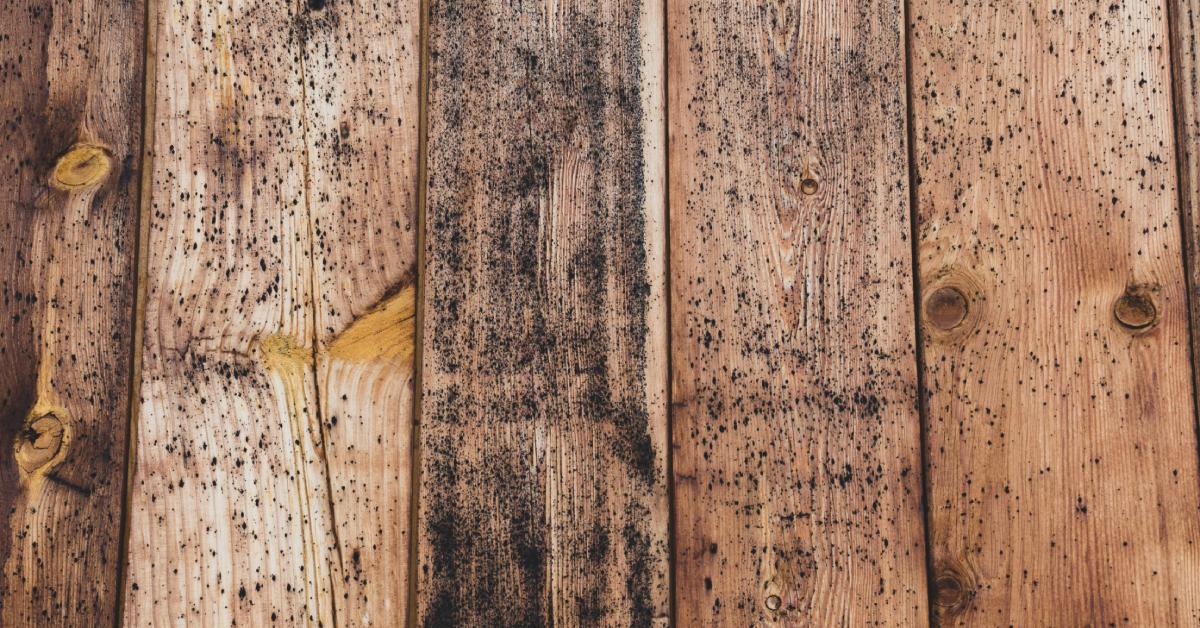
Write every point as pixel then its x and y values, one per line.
pixel 543 436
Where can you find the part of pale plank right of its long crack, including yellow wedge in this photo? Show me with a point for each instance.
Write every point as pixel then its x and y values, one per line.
pixel 362 65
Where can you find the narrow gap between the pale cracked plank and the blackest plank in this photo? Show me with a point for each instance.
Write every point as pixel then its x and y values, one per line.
pixel 415 444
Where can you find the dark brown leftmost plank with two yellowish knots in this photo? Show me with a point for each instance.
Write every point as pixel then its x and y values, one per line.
pixel 70 152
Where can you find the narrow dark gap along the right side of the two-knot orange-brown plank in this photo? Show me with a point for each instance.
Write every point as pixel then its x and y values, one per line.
pixel 1184 194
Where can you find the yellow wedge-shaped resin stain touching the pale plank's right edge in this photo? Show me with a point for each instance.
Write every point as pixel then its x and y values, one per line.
pixel 386 333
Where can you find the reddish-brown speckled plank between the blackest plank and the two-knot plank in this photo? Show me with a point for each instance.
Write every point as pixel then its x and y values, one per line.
pixel 797 447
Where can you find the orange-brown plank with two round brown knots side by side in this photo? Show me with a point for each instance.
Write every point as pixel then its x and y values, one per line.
pixel 1063 447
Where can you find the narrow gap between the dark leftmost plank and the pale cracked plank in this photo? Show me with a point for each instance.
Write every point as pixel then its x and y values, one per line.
pixel 141 252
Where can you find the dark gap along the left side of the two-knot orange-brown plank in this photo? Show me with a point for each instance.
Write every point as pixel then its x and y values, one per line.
pixel 919 339
